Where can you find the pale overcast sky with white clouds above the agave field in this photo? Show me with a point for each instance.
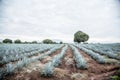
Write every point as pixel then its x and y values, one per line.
pixel 60 19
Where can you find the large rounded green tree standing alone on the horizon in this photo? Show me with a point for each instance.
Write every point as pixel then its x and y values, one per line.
pixel 80 36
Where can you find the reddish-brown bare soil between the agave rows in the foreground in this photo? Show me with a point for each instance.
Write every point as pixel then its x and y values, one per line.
pixel 95 70
